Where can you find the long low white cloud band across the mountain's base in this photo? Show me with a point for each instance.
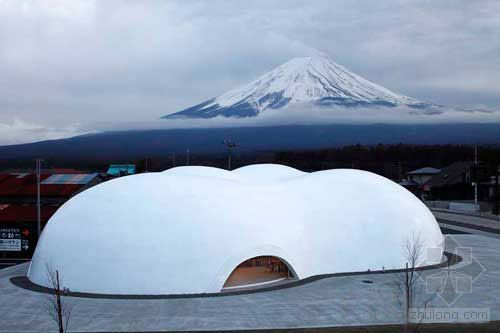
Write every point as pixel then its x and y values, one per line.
pixel 293 115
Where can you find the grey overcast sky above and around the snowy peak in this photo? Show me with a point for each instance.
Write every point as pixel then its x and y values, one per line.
pixel 69 66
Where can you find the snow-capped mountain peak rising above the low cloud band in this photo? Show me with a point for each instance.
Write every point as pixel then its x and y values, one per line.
pixel 316 80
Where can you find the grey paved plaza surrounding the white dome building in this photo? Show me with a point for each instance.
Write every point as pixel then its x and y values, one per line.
pixel 335 301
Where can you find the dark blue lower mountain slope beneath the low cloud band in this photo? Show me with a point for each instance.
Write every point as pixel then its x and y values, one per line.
pixel 127 146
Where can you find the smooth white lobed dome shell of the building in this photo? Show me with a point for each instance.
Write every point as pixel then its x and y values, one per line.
pixel 185 230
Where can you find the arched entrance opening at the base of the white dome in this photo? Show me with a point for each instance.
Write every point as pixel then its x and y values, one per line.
pixel 259 272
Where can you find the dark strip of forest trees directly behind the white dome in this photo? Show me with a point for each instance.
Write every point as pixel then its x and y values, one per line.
pixel 391 161
